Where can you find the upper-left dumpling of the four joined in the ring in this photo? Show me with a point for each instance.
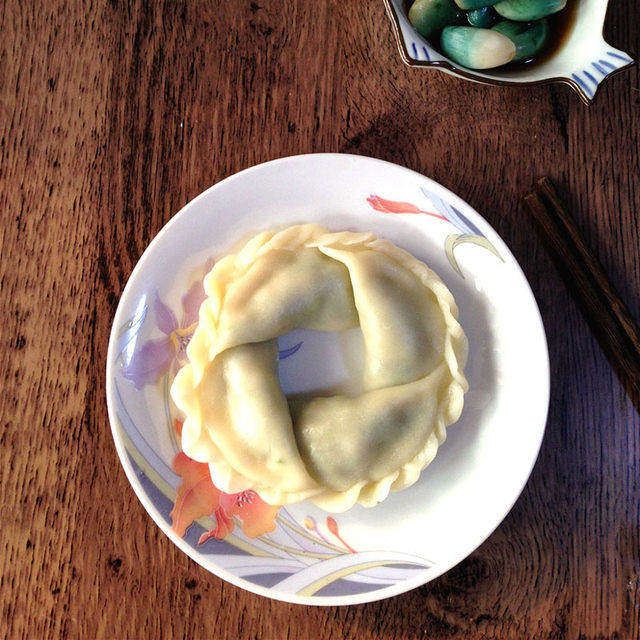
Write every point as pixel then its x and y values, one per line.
pixel 267 290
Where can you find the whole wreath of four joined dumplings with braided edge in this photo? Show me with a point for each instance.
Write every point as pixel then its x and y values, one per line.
pixel 337 450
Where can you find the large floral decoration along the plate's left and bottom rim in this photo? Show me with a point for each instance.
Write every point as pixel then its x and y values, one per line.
pixel 306 558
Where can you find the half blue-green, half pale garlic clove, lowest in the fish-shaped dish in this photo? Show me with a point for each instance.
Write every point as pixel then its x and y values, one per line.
pixel 477 48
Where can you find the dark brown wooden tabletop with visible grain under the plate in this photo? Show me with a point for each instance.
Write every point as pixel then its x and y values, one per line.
pixel 115 114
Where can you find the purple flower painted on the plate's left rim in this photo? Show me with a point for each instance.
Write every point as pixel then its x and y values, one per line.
pixel 157 356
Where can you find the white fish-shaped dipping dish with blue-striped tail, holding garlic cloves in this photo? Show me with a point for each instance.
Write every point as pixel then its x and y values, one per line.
pixel 582 59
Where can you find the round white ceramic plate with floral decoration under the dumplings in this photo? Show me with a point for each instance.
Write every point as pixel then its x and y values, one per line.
pixel 415 535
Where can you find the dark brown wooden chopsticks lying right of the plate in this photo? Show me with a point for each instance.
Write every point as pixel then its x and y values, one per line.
pixel 600 304
